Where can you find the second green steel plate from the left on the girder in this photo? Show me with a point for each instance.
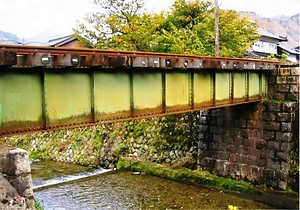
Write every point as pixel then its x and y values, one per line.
pixel 67 97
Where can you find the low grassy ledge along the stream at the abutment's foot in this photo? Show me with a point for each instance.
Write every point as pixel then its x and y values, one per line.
pixel 278 199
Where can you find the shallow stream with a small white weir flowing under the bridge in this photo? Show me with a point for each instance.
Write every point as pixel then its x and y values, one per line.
pixel 62 186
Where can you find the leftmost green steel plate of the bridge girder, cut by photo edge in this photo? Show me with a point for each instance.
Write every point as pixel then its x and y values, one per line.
pixel 21 100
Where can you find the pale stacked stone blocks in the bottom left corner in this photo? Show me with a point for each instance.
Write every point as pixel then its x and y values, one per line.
pixel 15 179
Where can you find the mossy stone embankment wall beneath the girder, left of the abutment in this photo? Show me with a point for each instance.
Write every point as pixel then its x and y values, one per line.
pixel 171 141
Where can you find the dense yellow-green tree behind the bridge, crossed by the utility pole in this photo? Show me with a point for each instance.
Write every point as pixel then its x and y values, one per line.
pixel 189 28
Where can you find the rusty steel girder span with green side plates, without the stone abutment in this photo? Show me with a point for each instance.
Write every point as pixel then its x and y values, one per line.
pixel 43 88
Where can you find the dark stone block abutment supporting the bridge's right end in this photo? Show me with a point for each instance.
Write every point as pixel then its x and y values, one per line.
pixel 256 141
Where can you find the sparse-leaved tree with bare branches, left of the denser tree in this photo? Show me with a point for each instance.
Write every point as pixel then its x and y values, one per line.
pixel 119 24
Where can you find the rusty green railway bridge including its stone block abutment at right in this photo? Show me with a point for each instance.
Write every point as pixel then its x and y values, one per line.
pixel 249 127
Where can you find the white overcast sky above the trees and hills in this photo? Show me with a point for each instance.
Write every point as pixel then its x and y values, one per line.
pixel 27 18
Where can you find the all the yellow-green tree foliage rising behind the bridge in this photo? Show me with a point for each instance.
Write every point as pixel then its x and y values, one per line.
pixel 188 28
